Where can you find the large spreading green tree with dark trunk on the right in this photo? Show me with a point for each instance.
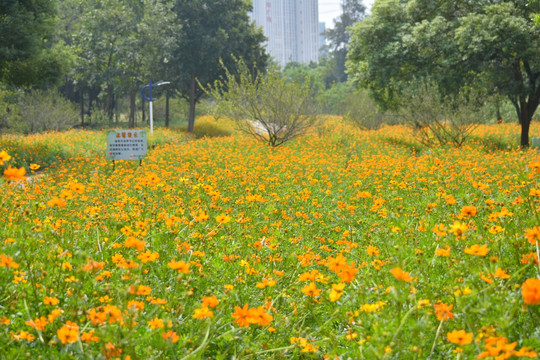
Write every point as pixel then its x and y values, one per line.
pixel 484 44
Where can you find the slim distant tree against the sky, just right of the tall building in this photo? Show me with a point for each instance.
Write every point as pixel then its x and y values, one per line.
pixel 352 11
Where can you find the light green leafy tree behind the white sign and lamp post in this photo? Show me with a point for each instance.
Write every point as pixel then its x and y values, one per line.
pixel 120 45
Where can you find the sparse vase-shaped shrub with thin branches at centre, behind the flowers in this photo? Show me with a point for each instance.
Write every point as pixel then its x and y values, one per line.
pixel 266 105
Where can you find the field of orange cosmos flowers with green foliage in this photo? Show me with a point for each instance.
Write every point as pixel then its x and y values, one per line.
pixel 341 244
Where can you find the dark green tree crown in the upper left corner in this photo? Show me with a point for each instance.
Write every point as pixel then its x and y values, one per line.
pixel 28 55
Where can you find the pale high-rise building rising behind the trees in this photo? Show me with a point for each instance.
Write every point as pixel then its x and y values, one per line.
pixel 292 28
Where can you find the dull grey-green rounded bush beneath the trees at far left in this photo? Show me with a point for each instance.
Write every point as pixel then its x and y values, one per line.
pixel 41 110
